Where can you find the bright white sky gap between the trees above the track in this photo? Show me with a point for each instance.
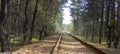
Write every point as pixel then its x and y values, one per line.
pixel 66 14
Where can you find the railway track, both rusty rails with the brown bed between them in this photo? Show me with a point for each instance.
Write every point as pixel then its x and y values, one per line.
pixel 62 47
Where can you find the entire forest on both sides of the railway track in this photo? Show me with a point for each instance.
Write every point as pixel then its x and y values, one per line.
pixel 23 22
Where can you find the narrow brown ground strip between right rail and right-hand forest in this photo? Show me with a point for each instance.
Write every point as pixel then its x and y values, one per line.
pixel 101 47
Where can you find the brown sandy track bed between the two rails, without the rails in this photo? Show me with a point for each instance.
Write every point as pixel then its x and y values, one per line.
pixel 71 46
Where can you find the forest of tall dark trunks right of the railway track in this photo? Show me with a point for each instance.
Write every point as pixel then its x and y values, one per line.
pixel 98 21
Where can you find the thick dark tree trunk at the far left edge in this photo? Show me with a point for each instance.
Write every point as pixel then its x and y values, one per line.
pixel 3 36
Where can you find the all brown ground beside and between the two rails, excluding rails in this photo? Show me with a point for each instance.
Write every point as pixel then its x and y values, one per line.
pixel 68 46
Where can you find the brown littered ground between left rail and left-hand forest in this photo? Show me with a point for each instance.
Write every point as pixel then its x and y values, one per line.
pixel 43 47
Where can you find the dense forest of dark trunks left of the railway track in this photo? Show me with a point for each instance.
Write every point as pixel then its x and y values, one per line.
pixel 21 20
